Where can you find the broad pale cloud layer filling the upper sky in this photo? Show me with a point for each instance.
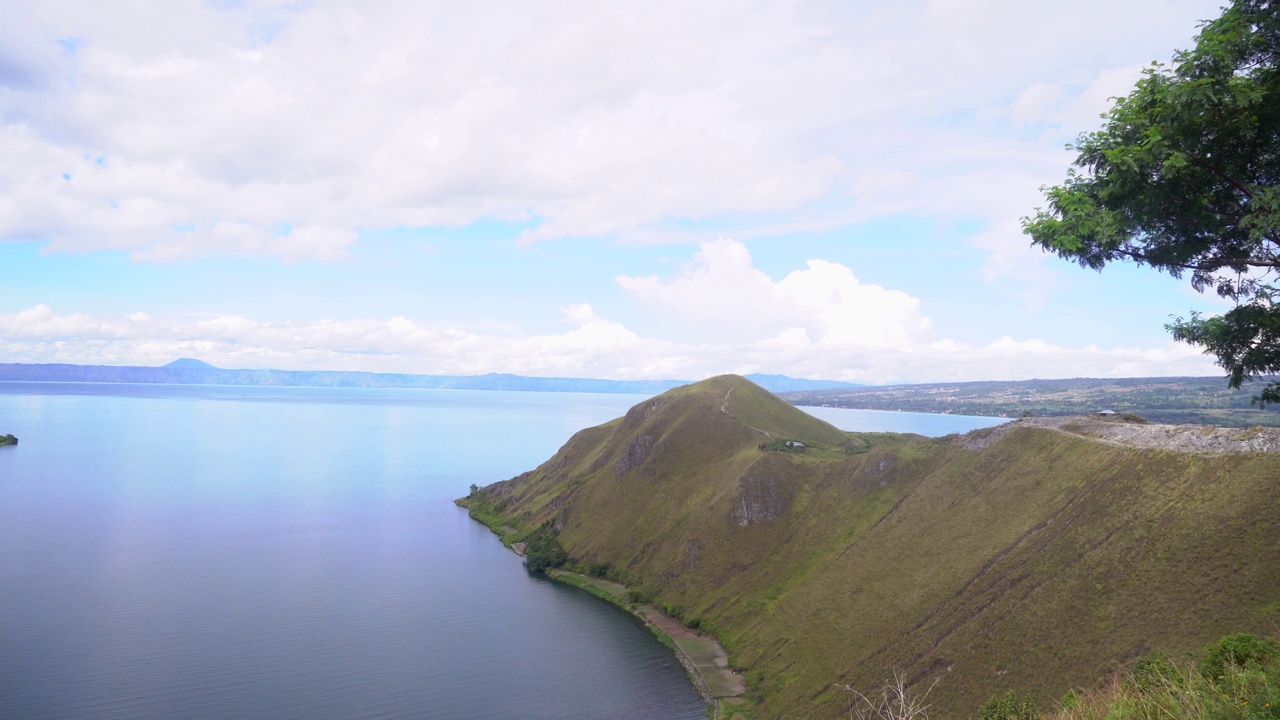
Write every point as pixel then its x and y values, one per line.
pixel 185 129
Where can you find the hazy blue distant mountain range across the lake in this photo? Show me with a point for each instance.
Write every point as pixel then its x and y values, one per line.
pixel 189 371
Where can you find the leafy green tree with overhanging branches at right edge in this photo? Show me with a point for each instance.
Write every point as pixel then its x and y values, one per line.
pixel 1183 179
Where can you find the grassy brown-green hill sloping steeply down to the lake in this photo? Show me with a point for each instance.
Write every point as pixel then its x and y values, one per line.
pixel 1022 558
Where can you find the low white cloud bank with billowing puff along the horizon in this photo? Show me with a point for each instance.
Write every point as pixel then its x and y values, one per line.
pixel 819 322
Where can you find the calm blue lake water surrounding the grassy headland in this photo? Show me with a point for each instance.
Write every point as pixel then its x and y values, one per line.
pixel 216 553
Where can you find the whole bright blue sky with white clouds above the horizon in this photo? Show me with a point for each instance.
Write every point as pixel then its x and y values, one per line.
pixel 570 189
